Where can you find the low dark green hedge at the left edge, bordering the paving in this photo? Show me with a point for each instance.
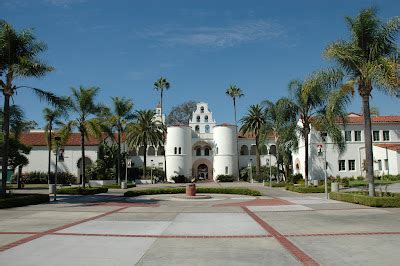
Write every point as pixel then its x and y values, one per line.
pixel 18 200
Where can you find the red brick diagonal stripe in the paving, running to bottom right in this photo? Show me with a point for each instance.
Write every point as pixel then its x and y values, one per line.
pixel 300 255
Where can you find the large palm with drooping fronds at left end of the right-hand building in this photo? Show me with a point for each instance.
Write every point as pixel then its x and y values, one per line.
pixel 316 103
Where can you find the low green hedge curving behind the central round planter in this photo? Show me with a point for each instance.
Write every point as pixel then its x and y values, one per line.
pixel 240 191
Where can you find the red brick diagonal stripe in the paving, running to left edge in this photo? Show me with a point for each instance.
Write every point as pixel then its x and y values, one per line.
pixel 51 231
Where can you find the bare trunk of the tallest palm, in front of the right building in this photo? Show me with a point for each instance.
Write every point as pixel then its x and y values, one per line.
pixel 369 157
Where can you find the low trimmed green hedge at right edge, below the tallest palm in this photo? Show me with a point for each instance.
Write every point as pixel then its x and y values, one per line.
pixel 364 199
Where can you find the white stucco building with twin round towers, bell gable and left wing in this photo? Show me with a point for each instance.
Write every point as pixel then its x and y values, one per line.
pixel 202 149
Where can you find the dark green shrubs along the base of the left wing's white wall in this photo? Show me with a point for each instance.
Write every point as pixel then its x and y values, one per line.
pixel 38 177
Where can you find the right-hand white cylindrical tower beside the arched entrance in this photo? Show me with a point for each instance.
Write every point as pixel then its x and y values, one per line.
pixel 225 151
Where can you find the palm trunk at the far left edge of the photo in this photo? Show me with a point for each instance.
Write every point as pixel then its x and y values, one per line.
pixel 6 133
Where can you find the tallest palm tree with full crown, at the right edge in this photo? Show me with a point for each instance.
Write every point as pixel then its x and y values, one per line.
pixel 370 58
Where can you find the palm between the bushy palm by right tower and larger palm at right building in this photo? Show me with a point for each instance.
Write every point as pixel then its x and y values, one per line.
pixel 279 122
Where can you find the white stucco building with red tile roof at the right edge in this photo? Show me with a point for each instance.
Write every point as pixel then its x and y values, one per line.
pixel 386 149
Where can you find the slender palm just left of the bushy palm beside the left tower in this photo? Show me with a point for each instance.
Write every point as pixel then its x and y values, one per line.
pixel 120 117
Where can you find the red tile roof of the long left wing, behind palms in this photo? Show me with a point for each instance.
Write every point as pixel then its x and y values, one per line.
pixel 39 139
